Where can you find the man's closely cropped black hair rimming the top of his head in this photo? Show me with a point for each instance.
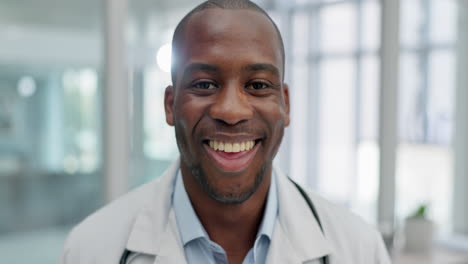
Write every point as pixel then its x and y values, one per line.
pixel 222 4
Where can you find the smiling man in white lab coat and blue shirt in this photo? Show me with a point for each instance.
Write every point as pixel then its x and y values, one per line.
pixel 223 202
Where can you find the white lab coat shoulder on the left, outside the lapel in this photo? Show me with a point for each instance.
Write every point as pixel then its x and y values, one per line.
pixel 105 232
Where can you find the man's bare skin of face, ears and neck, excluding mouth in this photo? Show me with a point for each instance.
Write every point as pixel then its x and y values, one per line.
pixel 229 86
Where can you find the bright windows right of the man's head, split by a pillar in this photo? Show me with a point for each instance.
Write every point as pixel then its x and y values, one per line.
pixel 335 92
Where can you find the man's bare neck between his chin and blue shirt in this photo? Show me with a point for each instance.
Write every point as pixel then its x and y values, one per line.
pixel 233 226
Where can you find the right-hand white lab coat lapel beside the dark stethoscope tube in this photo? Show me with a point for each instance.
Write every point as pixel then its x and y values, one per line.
pixel 297 237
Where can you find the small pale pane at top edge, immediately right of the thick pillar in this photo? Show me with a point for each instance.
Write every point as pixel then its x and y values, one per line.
pixel 411 24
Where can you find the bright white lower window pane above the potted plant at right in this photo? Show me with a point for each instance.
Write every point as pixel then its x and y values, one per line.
pixel 425 176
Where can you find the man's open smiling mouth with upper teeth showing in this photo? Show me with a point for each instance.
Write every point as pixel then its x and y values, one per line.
pixel 232 156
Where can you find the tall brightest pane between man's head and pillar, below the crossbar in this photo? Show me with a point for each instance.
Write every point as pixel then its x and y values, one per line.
pixel 337 126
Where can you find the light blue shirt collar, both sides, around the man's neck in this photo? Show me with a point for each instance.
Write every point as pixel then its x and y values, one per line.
pixel 190 226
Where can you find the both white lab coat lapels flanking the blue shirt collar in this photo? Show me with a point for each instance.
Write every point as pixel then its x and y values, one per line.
pixel 297 237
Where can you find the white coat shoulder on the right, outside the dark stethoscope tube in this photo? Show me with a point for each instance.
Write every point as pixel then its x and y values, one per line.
pixel 350 235
